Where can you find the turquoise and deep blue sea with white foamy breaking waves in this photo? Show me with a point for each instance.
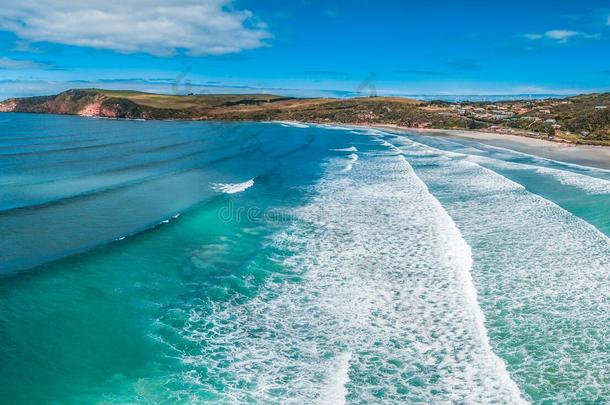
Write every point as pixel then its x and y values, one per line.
pixel 185 262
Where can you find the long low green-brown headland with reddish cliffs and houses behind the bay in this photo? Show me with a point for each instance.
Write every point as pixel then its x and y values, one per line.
pixel 580 119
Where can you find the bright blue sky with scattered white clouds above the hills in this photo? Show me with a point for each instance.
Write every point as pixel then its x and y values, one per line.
pixel 306 47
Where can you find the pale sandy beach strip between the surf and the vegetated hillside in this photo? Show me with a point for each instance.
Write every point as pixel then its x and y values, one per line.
pixel 583 155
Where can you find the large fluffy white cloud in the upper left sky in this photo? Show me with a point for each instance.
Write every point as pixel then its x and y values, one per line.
pixel 157 27
